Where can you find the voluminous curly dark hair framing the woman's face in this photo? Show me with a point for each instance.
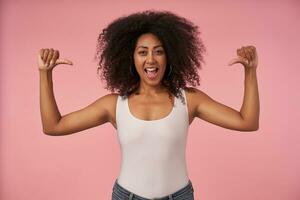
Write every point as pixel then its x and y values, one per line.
pixel 179 37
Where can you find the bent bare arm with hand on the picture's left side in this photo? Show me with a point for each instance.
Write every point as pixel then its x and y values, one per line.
pixel 95 114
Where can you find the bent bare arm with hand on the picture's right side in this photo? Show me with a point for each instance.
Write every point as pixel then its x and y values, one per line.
pixel 248 117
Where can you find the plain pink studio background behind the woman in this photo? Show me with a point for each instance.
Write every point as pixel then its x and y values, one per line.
pixel 223 164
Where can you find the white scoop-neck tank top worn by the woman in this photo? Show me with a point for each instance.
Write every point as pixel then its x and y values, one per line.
pixel 153 161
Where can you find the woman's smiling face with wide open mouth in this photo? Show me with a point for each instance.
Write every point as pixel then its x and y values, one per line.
pixel 150 59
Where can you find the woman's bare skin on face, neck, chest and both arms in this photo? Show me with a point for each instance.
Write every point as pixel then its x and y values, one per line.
pixel 153 100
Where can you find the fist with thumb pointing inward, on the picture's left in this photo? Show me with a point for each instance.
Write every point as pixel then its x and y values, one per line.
pixel 49 58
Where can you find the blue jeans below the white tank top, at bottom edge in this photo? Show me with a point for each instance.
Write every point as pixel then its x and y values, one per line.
pixel 185 193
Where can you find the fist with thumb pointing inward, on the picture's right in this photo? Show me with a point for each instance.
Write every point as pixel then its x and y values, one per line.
pixel 247 56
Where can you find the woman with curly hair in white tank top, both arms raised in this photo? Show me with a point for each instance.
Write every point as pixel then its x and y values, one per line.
pixel 149 58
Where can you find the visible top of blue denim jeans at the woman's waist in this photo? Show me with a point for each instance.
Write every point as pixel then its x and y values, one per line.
pixel 124 193
